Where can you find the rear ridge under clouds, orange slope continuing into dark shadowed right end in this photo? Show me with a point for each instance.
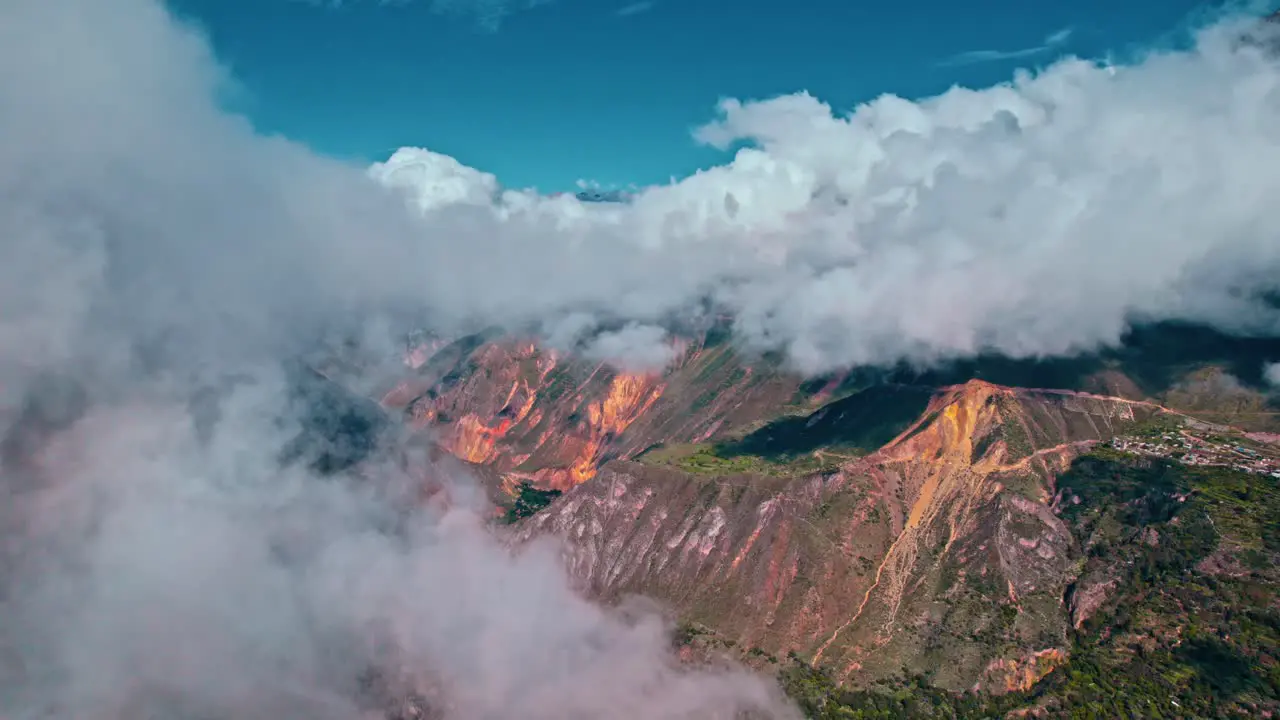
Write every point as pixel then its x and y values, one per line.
pixel 552 418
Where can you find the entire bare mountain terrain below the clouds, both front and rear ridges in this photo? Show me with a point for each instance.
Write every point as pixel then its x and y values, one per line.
pixel 857 530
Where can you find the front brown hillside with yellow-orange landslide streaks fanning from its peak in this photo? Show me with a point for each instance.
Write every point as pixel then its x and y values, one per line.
pixel 940 552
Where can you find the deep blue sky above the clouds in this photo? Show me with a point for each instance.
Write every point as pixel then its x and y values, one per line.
pixel 610 90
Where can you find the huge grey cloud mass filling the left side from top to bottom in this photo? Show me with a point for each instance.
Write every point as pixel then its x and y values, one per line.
pixel 159 558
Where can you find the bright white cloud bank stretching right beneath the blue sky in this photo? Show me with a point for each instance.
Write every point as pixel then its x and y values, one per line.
pixel 1035 218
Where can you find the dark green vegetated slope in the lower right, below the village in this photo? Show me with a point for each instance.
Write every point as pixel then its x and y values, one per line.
pixel 1192 628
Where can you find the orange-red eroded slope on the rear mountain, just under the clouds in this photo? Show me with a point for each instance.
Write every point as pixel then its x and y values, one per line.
pixel 538 416
